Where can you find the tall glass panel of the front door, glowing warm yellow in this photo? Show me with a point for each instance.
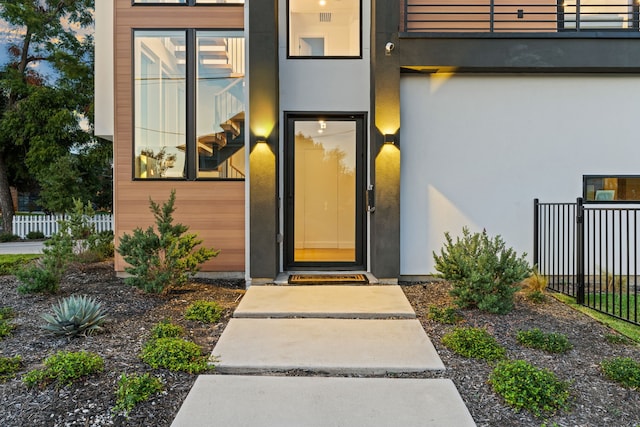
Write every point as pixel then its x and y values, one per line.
pixel 325 191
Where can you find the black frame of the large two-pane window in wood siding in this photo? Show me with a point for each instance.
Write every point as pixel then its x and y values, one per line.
pixel 191 150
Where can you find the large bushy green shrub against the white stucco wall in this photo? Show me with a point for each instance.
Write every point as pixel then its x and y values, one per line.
pixel 482 271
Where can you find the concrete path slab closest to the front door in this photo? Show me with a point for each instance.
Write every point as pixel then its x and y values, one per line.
pixel 346 302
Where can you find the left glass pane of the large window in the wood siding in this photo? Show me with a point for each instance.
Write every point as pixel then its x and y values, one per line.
pixel 160 105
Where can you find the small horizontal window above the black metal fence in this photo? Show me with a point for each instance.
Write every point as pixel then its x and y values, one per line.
pixel 612 188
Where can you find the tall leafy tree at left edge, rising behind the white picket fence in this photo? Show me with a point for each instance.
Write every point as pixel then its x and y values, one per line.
pixel 41 114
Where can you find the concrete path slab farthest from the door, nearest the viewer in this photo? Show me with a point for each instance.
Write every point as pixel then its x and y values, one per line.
pixel 254 401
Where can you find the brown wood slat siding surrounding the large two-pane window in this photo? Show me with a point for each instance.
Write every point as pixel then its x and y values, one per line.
pixel 212 209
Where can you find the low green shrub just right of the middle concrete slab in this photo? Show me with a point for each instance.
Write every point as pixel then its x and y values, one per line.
pixel 474 342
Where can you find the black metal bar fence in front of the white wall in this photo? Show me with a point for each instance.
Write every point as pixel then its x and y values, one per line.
pixel 590 253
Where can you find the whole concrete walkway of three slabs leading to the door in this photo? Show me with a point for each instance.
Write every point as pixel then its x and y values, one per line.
pixel 345 331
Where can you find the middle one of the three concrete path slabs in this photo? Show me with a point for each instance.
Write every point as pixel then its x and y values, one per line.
pixel 351 346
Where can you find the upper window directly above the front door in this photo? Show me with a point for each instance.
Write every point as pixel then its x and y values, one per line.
pixel 324 28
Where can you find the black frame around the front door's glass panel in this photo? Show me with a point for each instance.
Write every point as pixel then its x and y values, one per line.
pixel 360 119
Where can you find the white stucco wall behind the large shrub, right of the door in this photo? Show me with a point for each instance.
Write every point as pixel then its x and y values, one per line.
pixel 476 150
